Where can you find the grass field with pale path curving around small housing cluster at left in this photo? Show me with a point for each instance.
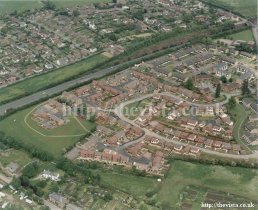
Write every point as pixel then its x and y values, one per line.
pixel 53 141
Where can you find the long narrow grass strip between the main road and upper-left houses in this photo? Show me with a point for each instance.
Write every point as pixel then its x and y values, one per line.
pixel 54 77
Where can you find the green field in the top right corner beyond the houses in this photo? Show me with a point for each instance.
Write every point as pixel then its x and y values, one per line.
pixel 246 8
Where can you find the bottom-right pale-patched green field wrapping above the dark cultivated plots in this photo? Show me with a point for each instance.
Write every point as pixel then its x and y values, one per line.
pixel 239 181
